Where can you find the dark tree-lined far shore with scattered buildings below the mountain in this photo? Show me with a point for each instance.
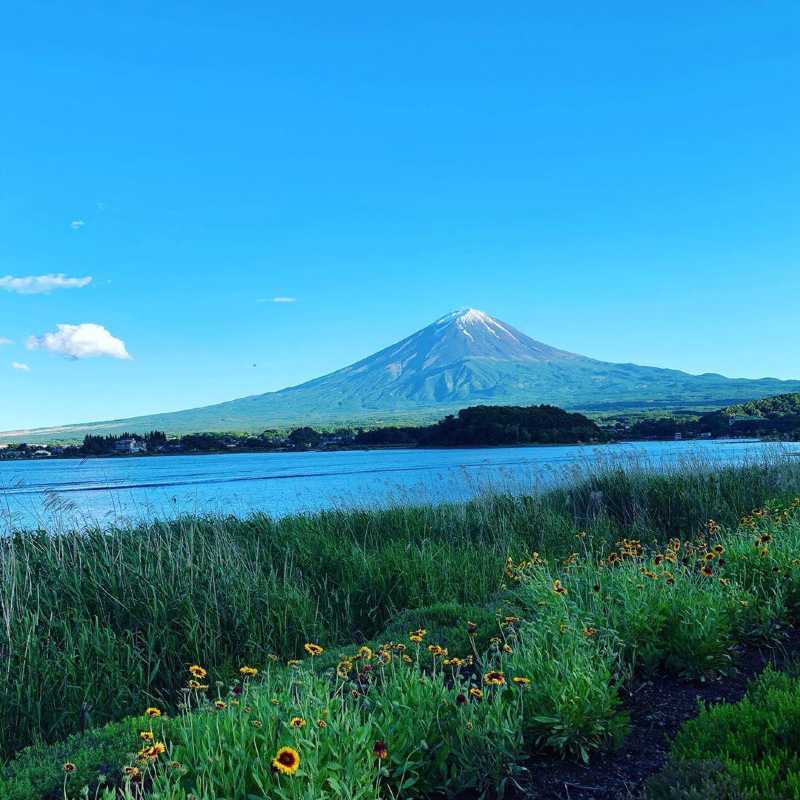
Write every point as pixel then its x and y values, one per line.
pixel 479 426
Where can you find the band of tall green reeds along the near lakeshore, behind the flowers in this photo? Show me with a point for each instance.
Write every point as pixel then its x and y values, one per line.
pixel 100 623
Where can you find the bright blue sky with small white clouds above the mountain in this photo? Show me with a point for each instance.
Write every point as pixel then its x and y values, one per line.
pixel 621 180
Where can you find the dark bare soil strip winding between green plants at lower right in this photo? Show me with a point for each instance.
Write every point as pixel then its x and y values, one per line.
pixel 657 709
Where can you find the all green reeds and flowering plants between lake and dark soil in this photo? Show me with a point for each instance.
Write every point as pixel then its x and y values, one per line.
pixel 631 577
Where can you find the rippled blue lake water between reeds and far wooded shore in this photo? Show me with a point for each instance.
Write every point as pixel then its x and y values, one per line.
pixel 67 493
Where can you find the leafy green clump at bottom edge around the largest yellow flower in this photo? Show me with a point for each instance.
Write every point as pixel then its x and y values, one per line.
pixel 229 752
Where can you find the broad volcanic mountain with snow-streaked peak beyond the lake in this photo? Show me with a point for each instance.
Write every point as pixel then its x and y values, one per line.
pixel 464 358
